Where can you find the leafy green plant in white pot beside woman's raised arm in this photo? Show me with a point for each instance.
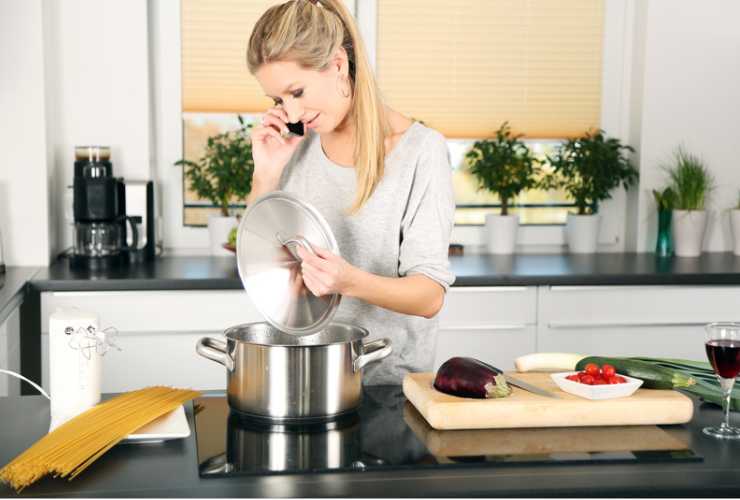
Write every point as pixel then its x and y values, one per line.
pixel 222 175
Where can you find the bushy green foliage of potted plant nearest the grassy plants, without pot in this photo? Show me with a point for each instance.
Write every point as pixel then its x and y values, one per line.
pixel 589 167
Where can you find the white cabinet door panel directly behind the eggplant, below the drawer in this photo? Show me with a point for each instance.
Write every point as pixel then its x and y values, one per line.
pixel 499 346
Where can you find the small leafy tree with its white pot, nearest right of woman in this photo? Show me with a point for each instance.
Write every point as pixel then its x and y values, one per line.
pixel 504 166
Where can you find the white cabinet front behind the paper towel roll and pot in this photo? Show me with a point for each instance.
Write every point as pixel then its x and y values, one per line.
pixel 157 332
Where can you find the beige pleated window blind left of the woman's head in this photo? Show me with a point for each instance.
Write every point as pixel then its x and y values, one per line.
pixel 215 78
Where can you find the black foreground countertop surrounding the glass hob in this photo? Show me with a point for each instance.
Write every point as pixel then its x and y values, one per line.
pixel 170 469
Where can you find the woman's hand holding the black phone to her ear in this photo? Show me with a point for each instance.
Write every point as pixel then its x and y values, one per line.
pixel 271 150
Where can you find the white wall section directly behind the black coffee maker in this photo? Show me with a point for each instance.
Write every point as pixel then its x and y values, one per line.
pixel 97 55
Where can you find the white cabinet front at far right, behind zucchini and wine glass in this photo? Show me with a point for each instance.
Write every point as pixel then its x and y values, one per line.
pixel 657 321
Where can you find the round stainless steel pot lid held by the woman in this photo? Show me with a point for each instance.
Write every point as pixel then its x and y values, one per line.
pixel 269 266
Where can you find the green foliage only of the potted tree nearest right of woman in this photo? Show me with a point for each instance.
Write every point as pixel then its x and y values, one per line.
pixel 503 165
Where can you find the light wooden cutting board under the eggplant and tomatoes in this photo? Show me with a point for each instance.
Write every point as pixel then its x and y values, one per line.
pixel 524 409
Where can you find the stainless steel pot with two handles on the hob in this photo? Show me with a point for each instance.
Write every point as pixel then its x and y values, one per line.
pixel 281 376
